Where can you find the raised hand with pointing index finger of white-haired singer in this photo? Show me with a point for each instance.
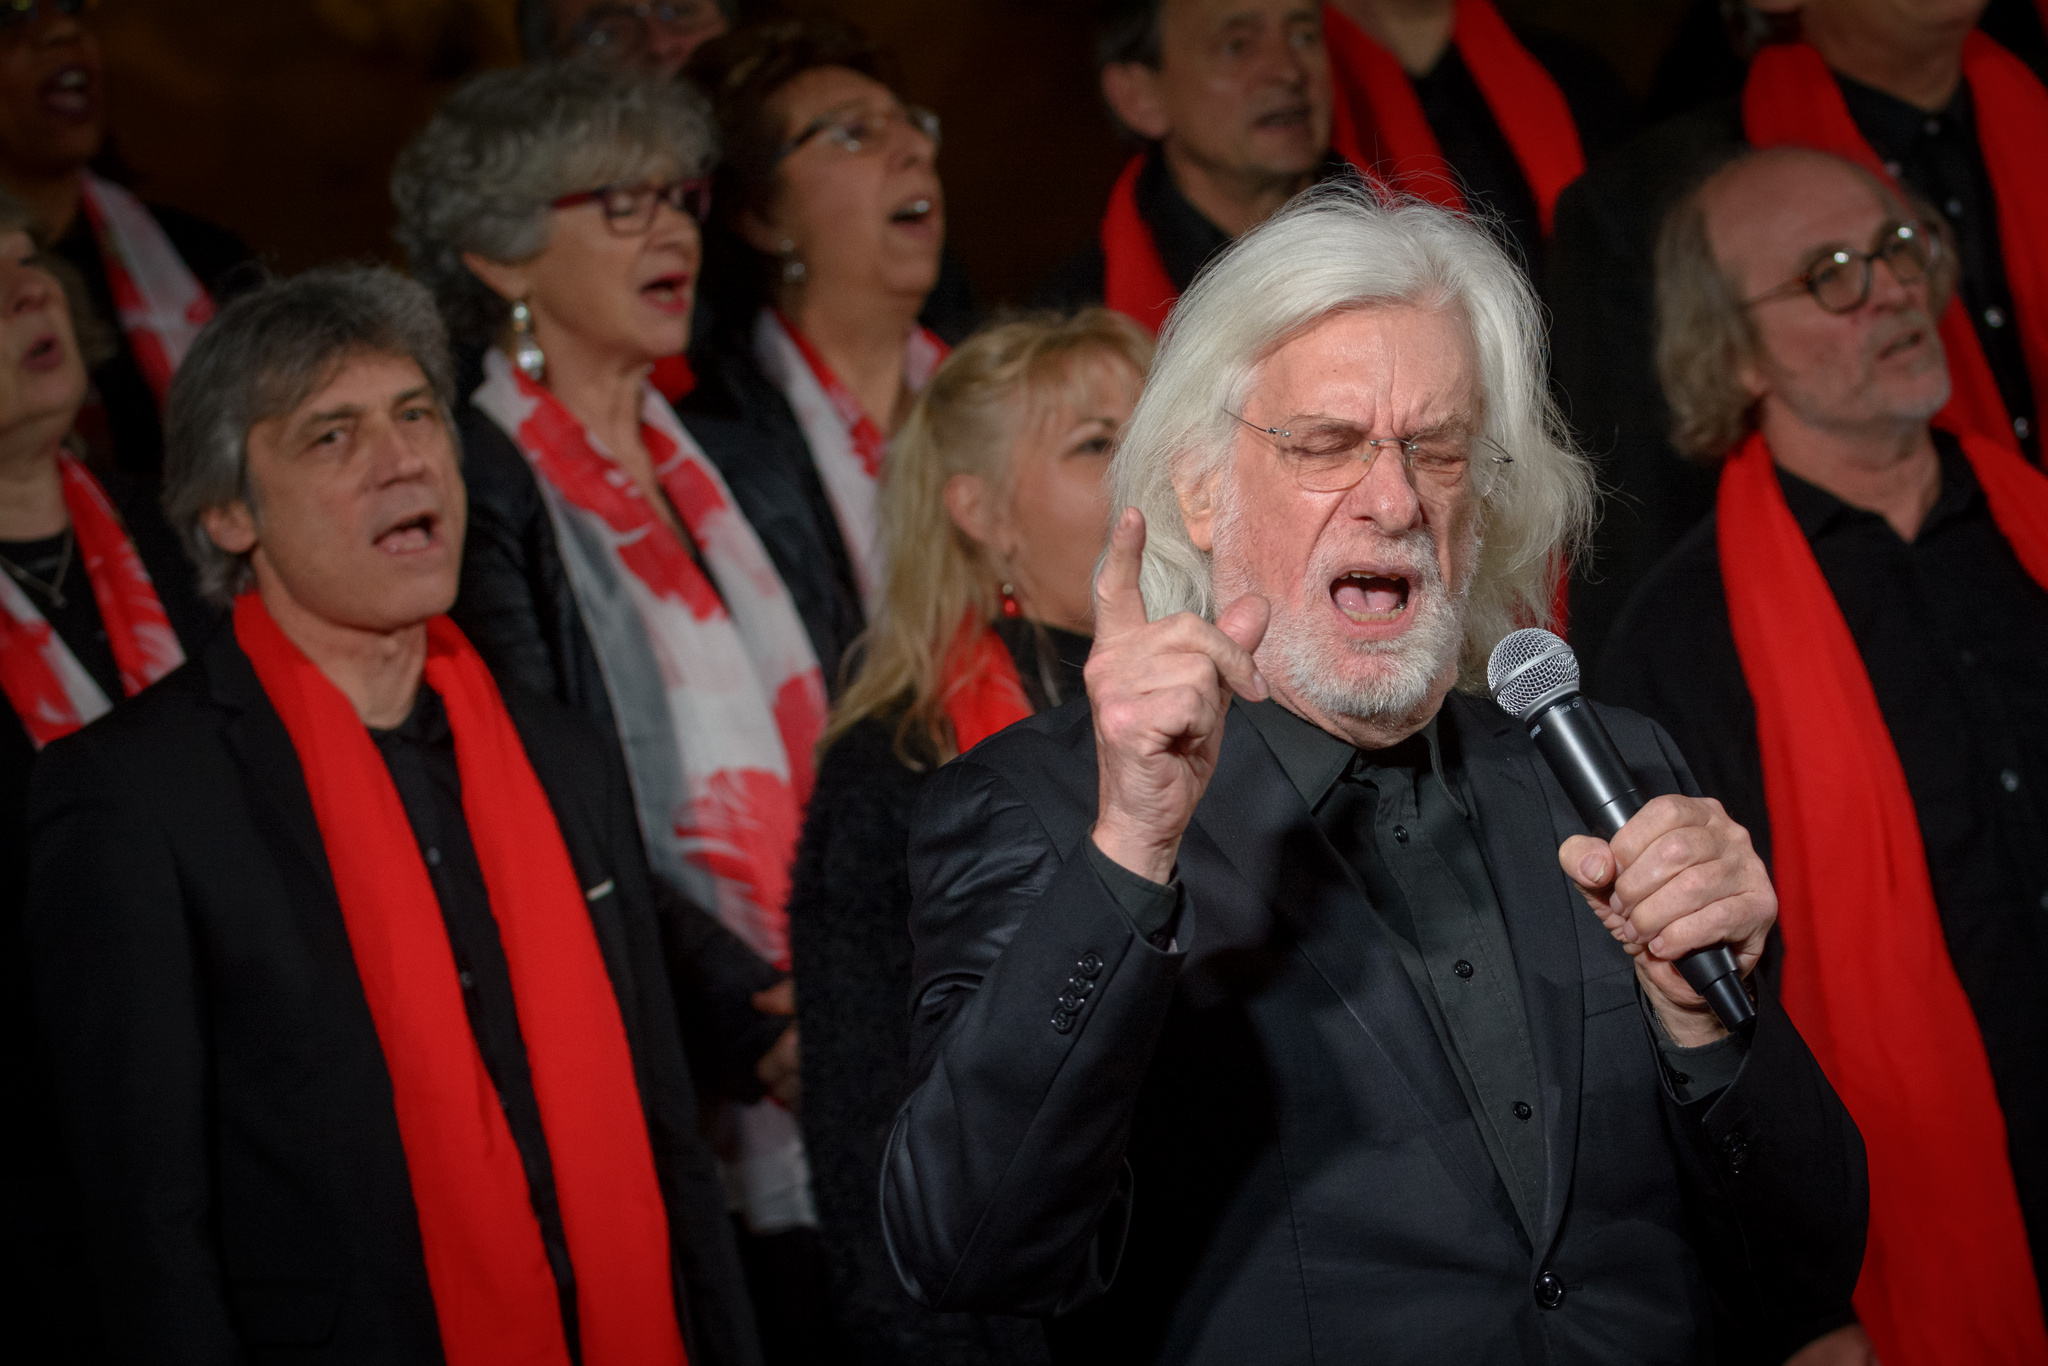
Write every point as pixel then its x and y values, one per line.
pixel 1160 693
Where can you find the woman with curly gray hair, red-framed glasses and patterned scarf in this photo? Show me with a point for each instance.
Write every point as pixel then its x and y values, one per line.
pixel 554 210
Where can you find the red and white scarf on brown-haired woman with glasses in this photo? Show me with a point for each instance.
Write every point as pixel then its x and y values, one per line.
pixel 847 443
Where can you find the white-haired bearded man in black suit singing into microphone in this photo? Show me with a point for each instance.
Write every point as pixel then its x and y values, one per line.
pixel 1258 1011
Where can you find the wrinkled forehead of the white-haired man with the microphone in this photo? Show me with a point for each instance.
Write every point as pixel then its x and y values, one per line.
pixel 1392 368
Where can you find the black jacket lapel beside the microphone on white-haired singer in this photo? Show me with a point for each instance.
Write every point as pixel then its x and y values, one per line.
pixel 1523 820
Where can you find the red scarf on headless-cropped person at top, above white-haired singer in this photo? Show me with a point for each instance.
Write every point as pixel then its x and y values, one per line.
pixel 1379 122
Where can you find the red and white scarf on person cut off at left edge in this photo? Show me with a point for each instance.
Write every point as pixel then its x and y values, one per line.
pixel 48 689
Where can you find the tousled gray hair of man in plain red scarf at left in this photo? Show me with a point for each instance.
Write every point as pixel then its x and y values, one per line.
pixel 259 359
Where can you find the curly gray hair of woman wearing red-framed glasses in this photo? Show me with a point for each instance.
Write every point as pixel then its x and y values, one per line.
pixel 507 144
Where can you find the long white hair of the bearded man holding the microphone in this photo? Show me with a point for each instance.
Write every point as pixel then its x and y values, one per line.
pixel 1347 247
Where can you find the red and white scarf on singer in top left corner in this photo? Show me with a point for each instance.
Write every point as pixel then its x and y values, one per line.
pixel 163 306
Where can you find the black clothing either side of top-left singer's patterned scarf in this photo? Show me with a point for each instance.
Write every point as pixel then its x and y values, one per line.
pixel 122 407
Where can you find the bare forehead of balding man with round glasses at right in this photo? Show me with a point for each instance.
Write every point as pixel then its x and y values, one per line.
pixel 1770 218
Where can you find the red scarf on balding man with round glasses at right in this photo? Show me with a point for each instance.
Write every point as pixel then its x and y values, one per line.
pixel 1867 972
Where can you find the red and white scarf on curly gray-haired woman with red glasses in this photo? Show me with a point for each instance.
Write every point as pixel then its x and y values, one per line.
pixel 714 687
